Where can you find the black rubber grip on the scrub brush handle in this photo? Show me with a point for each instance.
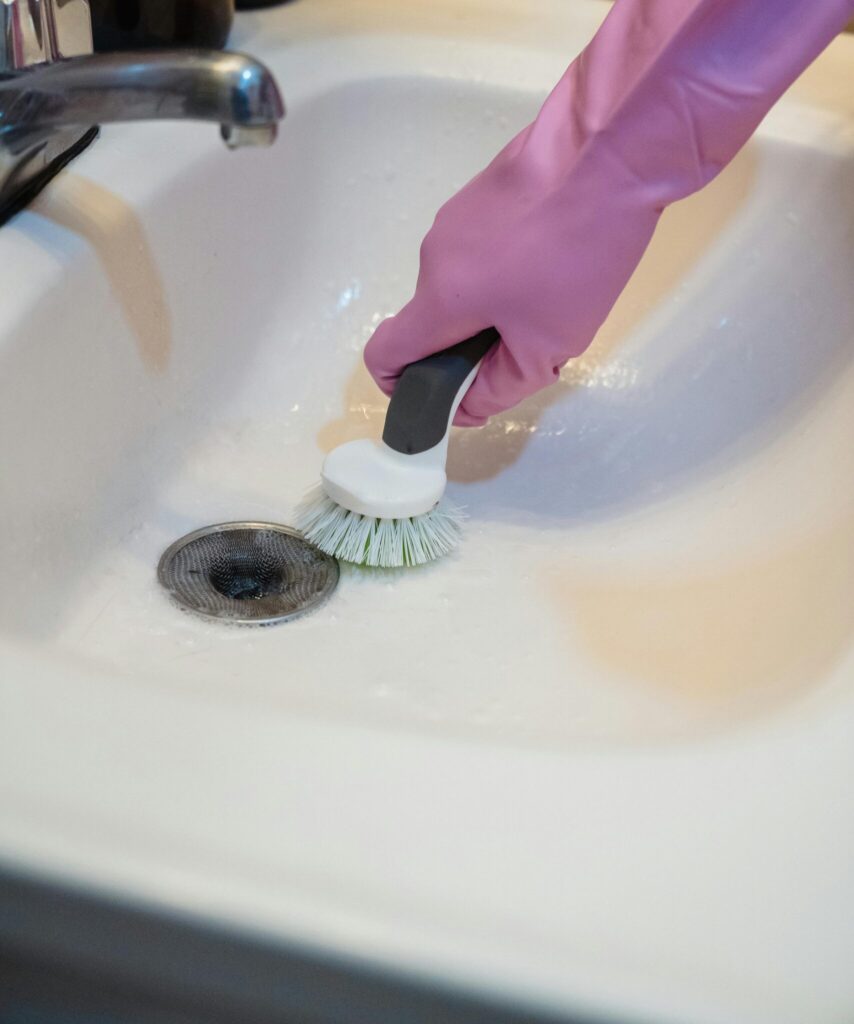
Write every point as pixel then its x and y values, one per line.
pixel 419 411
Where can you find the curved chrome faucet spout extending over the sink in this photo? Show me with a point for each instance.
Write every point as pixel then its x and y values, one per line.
pixel 231 90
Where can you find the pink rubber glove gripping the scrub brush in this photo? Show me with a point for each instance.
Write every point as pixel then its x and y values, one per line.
pixel 541 244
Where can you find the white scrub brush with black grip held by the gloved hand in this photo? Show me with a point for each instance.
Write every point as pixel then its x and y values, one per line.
pixel 380 503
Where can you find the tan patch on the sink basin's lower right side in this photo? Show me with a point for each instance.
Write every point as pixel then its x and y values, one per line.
pixel 722 643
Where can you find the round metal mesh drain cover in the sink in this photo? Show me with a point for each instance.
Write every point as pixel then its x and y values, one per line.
pixel 248 573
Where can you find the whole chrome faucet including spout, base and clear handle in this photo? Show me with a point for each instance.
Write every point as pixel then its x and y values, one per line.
pixel 55 93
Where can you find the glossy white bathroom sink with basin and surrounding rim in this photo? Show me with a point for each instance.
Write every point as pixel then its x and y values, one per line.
pixel 600 760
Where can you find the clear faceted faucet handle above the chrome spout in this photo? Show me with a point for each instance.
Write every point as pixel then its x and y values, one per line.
pixel 34 32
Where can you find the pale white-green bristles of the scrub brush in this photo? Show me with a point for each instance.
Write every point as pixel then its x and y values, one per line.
pixel 383 543
